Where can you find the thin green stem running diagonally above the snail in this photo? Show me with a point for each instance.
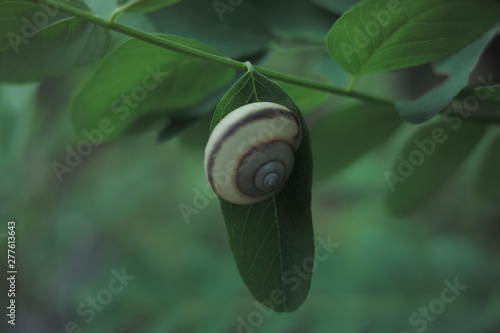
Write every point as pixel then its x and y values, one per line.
pixel 237 65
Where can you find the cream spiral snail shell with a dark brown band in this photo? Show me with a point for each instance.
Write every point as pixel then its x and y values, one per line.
pixel 251 152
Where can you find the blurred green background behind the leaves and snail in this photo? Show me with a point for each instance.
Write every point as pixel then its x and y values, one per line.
pixel 119 209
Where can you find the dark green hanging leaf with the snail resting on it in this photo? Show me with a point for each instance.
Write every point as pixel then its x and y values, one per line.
pixel 270 237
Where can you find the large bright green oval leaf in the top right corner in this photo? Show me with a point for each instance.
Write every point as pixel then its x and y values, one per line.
pixel 380 35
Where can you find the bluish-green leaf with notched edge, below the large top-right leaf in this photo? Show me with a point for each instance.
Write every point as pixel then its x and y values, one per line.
pixel 457 67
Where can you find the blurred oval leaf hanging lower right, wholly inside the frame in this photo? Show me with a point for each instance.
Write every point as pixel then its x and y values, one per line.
pixel 428 160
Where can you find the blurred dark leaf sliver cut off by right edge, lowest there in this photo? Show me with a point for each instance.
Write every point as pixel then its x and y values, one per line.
pixel 487 178
